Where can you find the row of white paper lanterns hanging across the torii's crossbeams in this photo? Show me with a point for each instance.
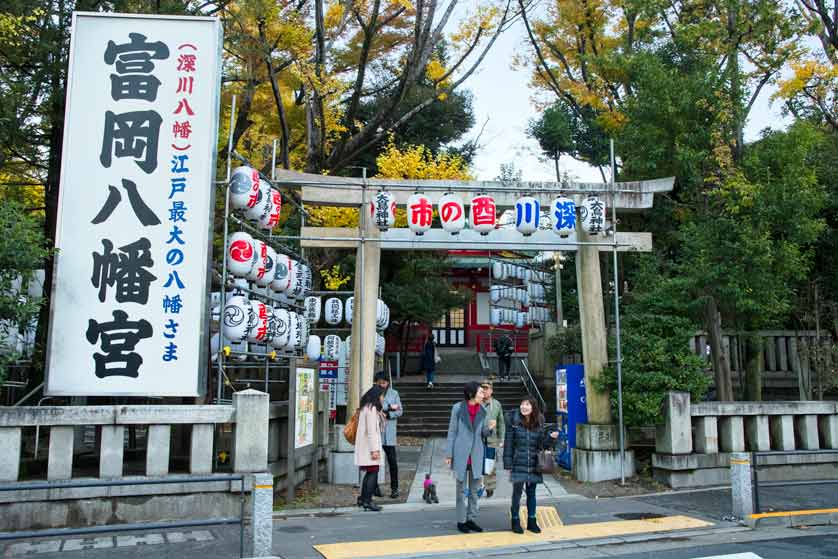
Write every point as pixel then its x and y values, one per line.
pixel 482 213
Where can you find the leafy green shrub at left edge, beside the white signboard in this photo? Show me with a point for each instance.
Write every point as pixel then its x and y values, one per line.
pixel 22 251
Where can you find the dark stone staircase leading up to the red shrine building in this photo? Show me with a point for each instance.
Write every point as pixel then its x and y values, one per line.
pixel 427 411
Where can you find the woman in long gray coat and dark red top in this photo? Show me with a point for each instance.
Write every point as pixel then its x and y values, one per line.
pixel 464 453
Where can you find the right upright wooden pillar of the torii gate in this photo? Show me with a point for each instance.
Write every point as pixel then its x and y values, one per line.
pixel 592 322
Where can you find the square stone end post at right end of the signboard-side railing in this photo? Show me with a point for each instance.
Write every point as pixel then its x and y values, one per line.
pixel 250 450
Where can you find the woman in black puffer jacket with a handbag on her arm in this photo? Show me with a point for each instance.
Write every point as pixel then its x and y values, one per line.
pixel 525 437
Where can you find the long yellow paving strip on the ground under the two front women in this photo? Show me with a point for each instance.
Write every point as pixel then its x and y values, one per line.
pixel 486 540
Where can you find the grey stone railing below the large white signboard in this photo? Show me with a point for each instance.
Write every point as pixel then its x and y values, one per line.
pixel 253 430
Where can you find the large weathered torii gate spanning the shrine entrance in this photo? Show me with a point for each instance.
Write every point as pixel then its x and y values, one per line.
pixel 368 241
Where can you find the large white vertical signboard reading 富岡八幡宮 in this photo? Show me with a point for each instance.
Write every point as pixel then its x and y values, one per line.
pixel 134 228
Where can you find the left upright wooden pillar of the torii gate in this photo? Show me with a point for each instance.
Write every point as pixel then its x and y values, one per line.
pixel 367 263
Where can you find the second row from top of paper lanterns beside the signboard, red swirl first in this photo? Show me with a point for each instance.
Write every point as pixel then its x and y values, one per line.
pixel 256 261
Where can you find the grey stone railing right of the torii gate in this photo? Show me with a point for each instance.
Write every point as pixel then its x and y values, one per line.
pixel 693 446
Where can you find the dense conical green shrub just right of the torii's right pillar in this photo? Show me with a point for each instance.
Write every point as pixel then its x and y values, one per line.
pixel 655 339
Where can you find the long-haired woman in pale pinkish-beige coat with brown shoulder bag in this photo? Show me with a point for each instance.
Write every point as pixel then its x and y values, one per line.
pixel 368 444
